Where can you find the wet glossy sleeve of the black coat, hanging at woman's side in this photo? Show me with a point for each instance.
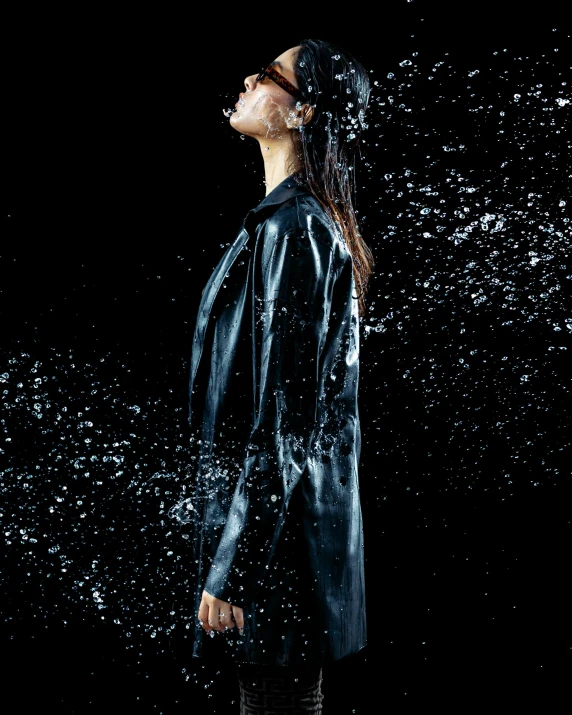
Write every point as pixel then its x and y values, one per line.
pixel 291 313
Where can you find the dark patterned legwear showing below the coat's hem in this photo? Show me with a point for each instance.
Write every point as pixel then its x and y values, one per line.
pixel 279 690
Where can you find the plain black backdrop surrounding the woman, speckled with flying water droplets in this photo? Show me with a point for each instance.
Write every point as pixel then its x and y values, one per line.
pixel 123 183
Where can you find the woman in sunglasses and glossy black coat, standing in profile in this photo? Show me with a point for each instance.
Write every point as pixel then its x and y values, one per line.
pixel 273 393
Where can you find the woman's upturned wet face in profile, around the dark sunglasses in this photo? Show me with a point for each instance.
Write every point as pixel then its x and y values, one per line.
pixel 265 110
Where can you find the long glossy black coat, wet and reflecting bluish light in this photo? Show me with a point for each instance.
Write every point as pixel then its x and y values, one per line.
pixel 274 498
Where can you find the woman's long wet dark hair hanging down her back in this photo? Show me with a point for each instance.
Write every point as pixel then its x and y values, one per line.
pixel 338 88
